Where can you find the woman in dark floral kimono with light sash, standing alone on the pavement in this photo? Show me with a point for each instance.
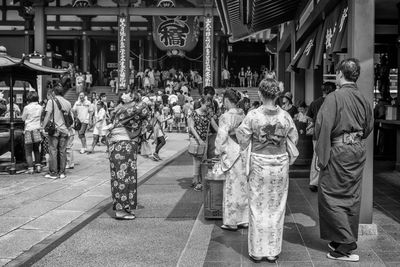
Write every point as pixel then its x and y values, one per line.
pixel 128 124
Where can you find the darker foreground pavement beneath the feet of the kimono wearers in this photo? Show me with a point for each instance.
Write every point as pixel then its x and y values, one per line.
pixel 166 232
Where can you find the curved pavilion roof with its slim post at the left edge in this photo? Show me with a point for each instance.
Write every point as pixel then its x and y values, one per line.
pixel 13 69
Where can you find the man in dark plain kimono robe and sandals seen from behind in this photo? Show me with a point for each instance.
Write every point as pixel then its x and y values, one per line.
pixel 344 122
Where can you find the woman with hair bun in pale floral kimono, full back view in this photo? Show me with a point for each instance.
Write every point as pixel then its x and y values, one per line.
pixel 267 130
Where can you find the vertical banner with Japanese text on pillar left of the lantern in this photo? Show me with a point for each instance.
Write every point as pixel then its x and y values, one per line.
pixel 123 52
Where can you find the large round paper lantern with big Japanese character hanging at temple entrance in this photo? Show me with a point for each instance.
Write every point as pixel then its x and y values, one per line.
pixel 175 34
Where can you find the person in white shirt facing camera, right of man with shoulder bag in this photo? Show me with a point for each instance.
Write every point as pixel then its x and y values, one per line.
pixel 83 111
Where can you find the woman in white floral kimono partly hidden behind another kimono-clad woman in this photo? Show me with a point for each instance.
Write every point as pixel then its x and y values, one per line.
pixel 235 208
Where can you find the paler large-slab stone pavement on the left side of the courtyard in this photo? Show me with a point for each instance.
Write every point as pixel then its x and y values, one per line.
pixel 34 209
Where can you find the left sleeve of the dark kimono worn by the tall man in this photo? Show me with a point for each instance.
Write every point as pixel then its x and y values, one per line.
pixel 323 129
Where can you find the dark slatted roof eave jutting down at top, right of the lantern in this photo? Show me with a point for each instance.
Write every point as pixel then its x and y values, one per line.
pixel 242 18
